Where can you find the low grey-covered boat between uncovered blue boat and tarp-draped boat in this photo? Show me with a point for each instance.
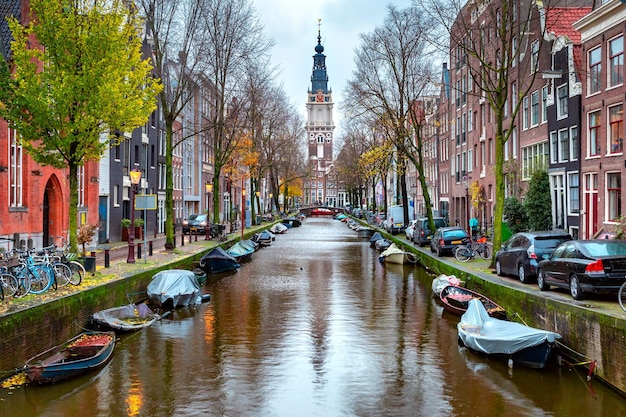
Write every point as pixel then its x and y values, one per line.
pixel 126 318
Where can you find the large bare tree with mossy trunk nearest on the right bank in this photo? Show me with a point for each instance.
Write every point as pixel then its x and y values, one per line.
pixel 500 46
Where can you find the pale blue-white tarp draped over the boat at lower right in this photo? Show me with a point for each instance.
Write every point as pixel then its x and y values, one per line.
pixel 486 334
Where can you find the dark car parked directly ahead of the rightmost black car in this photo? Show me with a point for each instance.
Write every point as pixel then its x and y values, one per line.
pixel 520 254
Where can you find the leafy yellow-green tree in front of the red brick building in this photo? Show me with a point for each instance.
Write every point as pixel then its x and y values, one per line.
pixel 87 80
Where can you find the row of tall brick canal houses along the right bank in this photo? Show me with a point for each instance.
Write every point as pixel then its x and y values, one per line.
pixel 571 121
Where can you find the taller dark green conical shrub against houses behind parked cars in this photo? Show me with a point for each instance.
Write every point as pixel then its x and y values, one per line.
pixel 537 202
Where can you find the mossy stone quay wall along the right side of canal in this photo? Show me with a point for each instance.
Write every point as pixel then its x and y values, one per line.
pixel 591 330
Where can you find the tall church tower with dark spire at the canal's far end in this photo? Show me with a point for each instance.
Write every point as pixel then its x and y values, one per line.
pixel 319 127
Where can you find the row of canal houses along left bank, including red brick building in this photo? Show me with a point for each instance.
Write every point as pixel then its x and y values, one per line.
pixel 34 198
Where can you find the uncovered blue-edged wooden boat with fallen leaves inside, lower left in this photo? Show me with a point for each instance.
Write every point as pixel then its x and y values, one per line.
pixel 86 352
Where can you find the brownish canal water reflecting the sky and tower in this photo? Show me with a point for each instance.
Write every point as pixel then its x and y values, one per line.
pixel 313 325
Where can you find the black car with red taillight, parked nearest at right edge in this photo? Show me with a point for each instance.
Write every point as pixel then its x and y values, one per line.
pixel 585 266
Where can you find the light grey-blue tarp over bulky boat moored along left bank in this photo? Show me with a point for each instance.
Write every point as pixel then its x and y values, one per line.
pixel 180 285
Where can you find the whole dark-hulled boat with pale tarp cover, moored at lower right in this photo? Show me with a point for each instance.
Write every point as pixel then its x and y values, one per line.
pixel 511 341
